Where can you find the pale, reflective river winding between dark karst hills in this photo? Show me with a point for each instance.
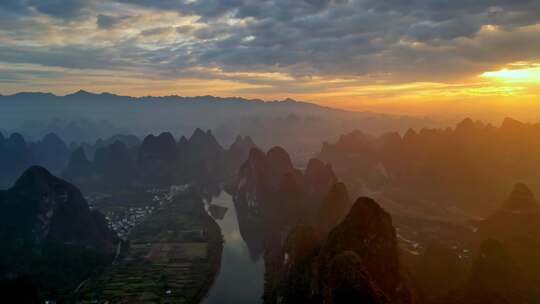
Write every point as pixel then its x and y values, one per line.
pixel 241 277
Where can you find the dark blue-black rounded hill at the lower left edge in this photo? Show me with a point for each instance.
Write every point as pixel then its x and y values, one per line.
pixel 49 235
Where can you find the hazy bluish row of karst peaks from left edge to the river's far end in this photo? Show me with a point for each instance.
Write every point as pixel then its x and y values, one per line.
pixel 124 162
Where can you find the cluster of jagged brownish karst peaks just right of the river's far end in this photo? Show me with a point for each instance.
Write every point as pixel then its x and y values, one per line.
pixel 269 185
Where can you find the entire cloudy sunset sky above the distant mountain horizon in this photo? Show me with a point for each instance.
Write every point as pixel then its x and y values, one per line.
pixel 416 57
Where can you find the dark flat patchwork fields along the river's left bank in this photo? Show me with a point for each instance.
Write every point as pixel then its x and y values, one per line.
pixel 172 258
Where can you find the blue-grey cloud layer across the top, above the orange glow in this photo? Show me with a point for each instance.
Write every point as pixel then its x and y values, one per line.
pixel 383 41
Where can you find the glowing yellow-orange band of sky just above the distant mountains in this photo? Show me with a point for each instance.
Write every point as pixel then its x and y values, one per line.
pixel 513 88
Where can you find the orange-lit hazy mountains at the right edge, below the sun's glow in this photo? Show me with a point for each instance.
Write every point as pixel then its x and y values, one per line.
pixel 439 171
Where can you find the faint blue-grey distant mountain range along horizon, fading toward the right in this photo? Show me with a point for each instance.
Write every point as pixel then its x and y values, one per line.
pixel 84 116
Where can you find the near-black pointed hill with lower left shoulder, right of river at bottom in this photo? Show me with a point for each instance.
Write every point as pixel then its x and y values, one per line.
pixel 357 263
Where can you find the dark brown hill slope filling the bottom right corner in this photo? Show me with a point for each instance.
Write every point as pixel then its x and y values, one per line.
pixel 506 269
